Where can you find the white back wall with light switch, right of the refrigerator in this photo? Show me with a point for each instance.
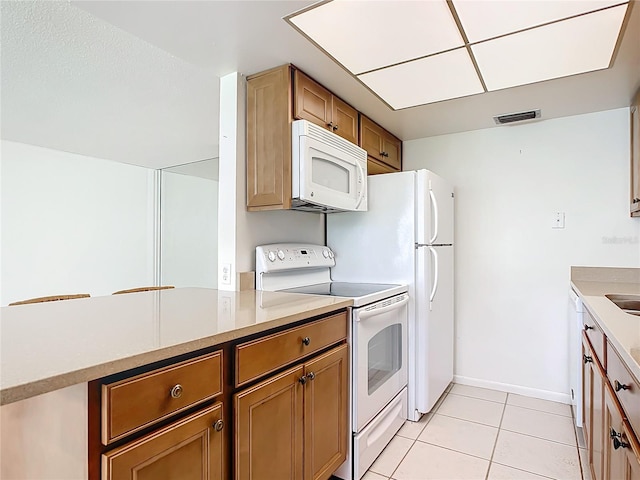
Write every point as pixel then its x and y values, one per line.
pixel 512 269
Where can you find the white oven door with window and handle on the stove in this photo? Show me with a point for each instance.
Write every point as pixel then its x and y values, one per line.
pixel 379 356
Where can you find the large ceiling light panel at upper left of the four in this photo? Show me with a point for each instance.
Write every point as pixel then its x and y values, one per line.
pixel 364 36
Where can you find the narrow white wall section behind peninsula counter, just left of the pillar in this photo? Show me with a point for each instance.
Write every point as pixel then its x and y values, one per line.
pixel 189 231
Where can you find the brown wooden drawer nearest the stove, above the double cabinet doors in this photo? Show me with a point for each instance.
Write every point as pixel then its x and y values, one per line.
pixel 264 355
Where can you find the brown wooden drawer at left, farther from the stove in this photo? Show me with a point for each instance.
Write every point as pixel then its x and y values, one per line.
pixel 137 402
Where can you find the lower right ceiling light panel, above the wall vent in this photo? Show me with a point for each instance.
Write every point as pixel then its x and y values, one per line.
pixel 578 45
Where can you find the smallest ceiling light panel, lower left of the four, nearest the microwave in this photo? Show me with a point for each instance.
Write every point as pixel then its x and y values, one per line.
pixel 432 79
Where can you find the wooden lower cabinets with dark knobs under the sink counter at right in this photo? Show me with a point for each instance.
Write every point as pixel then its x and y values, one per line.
pixel 611 409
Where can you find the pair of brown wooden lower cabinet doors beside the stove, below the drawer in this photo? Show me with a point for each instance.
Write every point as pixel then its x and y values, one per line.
pixel 293 425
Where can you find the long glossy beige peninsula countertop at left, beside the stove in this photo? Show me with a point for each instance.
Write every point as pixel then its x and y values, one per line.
pixel 48 346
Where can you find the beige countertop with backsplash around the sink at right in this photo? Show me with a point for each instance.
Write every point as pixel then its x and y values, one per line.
pixel 622 329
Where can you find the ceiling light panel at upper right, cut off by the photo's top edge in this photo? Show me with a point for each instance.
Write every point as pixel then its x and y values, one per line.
pixel 482 19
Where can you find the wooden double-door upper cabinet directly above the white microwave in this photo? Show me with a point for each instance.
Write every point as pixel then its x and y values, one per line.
pixel 318 105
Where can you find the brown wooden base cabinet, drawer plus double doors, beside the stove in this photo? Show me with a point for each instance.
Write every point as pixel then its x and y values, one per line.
pixel 293 424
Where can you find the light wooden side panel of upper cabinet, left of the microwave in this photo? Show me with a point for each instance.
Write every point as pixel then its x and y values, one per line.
pixel 269 139
